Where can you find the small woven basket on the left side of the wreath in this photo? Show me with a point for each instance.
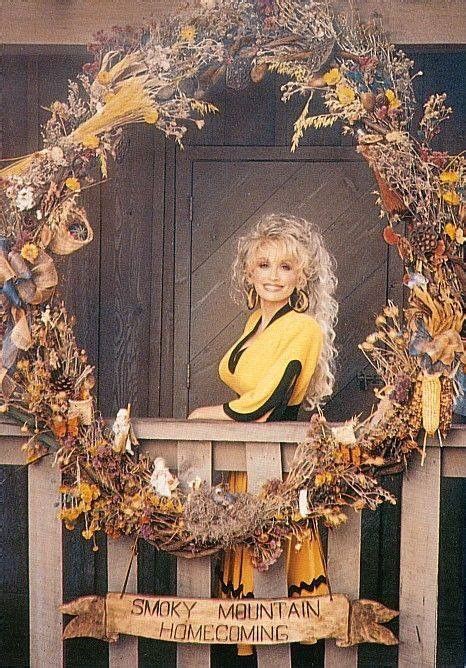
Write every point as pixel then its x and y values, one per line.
pixel 63 242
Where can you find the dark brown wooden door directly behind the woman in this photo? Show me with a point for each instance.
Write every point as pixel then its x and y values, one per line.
pixel 221 192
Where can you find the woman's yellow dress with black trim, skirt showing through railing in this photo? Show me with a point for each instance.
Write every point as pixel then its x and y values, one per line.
pixel 272 374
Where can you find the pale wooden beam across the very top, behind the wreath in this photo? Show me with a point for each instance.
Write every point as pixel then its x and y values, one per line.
pixel 57 22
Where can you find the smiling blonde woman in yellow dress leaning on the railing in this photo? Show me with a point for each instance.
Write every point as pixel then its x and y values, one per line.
pixel 283 358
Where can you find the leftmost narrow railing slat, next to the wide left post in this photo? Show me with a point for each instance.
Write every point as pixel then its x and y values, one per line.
pixel 123 653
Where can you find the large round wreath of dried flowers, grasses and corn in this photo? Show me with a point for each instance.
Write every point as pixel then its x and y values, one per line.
pixel 161 74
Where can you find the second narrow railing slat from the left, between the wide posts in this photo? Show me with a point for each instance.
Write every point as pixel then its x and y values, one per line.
pixel 194 575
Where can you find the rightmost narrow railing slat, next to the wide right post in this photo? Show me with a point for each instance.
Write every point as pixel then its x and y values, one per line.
pixel 344 578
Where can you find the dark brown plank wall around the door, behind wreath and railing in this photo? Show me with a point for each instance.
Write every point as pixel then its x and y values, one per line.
pixel 121 288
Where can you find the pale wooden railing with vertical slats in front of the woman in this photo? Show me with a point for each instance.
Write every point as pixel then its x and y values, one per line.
pixel 264 451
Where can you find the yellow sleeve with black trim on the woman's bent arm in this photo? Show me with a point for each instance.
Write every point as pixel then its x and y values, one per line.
pixel 273 391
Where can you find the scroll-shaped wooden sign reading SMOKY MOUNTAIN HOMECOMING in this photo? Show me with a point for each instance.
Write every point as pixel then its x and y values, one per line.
pixel 224 621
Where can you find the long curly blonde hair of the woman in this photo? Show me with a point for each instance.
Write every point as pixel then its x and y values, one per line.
pixel 303 243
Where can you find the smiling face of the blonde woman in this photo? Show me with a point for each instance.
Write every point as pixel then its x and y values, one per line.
pixel 274 274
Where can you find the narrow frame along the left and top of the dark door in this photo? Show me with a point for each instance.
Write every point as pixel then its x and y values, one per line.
pixel 185 160
